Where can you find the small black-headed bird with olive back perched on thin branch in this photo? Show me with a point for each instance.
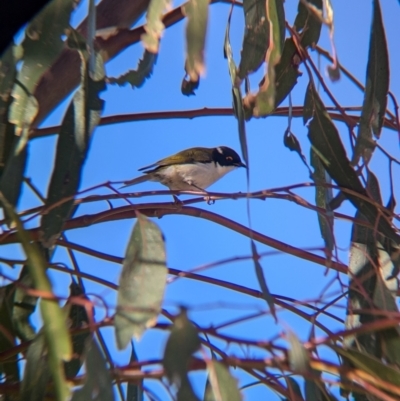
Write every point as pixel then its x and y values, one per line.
pixel 194 168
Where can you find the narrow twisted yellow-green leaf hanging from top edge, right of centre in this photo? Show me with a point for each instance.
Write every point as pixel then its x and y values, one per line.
pixel 265 99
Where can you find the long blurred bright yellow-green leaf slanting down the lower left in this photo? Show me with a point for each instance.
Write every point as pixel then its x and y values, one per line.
pixel 54 320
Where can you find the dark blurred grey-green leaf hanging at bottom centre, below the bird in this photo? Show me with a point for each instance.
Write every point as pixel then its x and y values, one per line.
pixel 182 343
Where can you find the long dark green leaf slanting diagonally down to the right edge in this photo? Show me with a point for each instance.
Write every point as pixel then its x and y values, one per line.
pixel 326 143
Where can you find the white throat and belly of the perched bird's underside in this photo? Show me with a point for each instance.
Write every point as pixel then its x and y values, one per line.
pixel 189 176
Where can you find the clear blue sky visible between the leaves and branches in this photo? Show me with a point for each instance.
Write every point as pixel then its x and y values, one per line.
pixel 117 151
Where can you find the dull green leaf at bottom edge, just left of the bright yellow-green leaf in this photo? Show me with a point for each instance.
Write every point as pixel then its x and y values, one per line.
pixel 36 372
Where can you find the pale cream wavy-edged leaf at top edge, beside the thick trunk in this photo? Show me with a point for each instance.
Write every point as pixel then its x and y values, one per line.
pixel 154 26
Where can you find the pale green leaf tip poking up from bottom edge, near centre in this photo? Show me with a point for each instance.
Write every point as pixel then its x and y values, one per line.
pixel 222 386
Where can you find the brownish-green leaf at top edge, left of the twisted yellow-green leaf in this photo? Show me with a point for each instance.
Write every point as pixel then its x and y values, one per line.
pixel 255 39
